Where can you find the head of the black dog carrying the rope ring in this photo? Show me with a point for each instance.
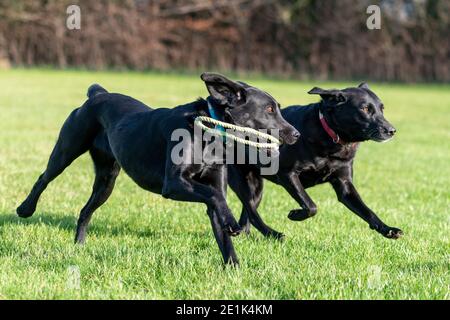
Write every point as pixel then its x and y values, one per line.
pixel 248 106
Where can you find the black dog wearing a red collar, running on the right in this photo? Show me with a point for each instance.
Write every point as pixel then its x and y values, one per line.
pixel 331 131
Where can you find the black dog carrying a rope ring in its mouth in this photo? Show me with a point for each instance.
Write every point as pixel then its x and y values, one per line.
pixel 121 132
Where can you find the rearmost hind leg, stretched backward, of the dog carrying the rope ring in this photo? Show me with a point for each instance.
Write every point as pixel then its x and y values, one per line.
pixel 73 141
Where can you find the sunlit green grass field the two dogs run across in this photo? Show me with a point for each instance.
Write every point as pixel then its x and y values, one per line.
pixel 141 246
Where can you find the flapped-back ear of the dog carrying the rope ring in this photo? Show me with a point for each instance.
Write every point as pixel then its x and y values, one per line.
pixel 224 90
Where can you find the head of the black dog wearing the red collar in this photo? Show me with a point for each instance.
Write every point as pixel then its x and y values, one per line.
pixel 356 114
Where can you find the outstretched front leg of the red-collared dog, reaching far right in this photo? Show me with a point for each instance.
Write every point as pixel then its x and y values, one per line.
pixel 347 194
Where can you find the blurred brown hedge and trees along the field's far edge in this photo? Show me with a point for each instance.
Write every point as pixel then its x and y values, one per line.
pixel 325 39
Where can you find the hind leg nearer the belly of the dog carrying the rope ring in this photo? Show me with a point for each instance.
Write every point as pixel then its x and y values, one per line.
pixel 106 171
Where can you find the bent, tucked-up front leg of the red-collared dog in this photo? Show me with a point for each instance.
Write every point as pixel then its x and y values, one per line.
pixel 291 182
